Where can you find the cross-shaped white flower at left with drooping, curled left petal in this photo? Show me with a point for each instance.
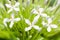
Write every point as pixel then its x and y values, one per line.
pixel 11 20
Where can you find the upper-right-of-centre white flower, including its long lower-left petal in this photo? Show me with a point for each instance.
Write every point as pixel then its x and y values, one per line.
pixel 39 12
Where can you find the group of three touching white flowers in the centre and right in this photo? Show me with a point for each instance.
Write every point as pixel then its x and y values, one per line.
pixel 40 13
